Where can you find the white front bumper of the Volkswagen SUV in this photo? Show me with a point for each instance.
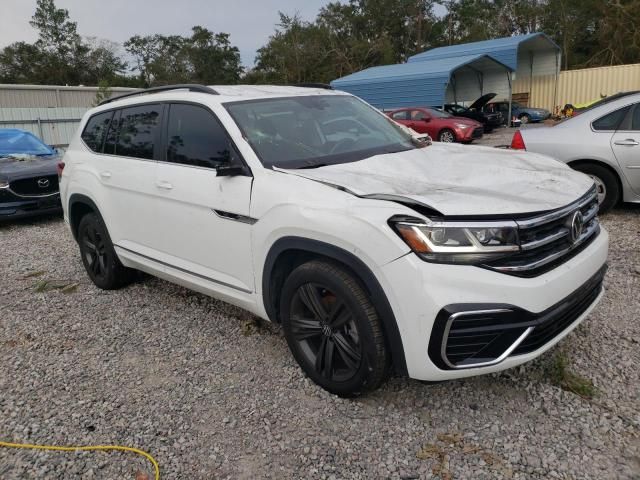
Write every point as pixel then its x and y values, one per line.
pixel 419 292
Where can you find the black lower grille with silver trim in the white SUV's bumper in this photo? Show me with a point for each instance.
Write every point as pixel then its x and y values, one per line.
pixel 466 336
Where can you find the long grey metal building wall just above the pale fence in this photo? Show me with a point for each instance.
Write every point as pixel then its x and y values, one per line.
pixel 37 96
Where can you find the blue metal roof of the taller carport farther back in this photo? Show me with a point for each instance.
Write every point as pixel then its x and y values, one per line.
pixel 505 50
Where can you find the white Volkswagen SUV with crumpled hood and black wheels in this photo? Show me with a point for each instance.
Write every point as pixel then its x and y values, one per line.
pixel 308 207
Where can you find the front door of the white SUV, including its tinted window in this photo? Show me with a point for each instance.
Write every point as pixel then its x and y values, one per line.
pixel 204 218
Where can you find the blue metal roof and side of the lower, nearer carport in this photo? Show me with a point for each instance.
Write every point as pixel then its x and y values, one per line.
pixel 408 84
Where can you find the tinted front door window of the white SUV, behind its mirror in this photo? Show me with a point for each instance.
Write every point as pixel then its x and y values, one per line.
pixel 195 137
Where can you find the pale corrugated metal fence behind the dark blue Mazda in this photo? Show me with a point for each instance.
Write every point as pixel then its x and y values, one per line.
pixel 55 126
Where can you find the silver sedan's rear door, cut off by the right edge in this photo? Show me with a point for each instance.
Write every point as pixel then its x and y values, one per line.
pixel 625 144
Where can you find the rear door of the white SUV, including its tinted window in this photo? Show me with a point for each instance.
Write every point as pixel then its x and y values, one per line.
pixel 127 171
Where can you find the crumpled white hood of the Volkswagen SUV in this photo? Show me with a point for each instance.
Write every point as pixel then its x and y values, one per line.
pixel 460 180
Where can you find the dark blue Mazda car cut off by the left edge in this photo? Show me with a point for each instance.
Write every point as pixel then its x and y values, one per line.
pixel 28 176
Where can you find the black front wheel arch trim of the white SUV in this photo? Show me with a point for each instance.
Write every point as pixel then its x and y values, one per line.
pixel 289 252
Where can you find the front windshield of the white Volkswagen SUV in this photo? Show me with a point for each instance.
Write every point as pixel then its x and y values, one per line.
pixel 312 131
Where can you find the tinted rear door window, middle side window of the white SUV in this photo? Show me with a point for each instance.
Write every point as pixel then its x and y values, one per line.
pixel 138 131
